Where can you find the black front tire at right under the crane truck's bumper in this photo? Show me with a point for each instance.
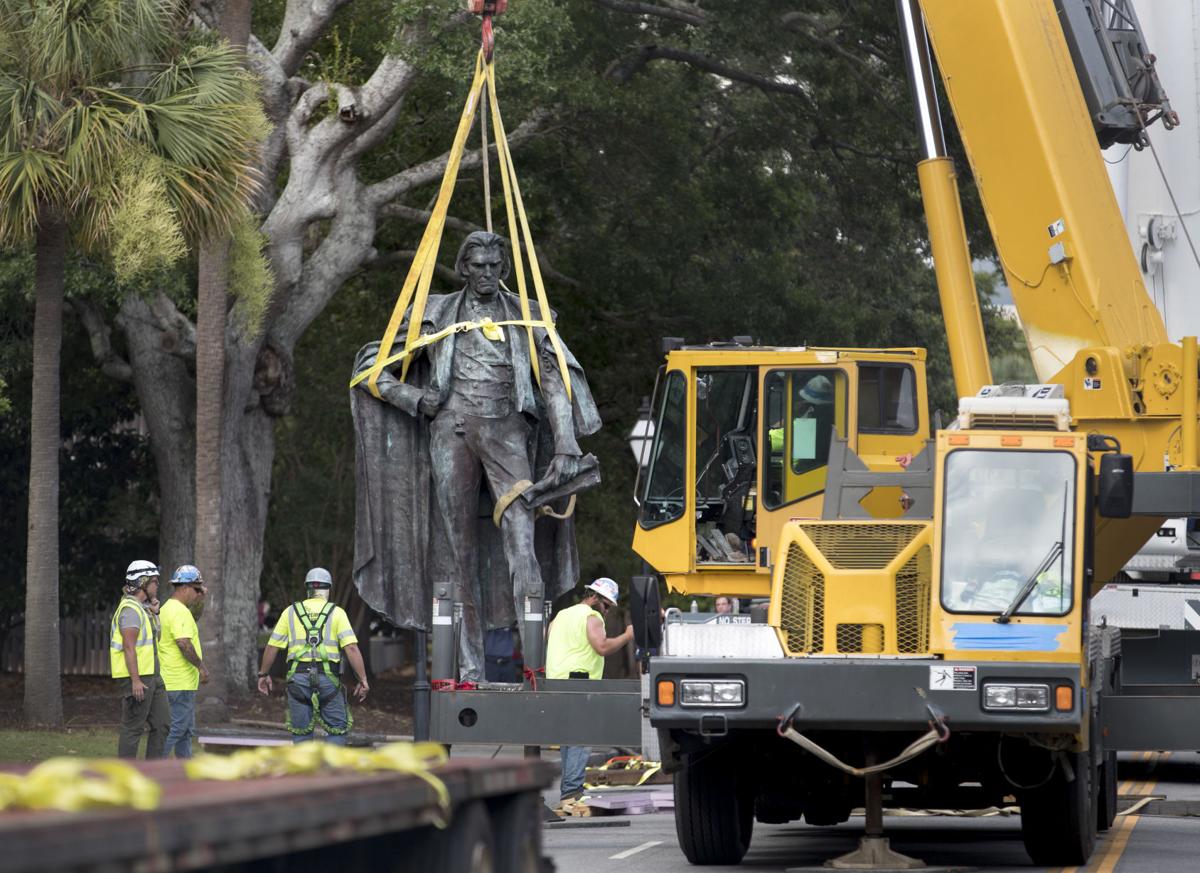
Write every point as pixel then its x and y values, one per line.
pixel 1059 820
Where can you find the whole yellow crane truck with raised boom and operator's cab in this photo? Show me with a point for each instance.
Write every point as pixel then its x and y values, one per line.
pixel 943 603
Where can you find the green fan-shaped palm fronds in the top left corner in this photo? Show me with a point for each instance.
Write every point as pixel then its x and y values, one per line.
pixel 89 86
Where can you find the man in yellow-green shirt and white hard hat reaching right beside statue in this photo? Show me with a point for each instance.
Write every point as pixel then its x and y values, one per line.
pixel 577 649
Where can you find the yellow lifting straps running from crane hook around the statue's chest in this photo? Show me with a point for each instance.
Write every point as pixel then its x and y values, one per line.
pixel 417 285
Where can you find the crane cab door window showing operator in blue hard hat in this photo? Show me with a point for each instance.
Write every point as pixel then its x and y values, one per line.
pixel 803 410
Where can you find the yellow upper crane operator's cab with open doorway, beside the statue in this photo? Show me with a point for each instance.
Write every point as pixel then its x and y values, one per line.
pixel 742 439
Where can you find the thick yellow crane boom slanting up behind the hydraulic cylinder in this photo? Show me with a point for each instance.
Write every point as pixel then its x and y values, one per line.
pixel 1034 153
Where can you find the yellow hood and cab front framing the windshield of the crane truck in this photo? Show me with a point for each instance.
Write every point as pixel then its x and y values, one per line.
pixel 873 588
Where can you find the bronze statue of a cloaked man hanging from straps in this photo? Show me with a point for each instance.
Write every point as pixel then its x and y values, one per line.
pixel 460 438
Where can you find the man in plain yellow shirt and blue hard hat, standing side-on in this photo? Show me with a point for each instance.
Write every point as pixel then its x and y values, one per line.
pixel 181 658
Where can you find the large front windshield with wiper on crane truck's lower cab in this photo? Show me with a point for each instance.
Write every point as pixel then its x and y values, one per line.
pixel 1004 515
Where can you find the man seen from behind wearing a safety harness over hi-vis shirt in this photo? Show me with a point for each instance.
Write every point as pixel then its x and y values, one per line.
pixel 315 634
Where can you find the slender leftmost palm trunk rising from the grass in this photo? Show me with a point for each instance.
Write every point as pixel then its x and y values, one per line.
pixel 44 682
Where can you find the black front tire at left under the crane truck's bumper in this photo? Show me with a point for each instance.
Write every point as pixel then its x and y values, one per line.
pixel 715 814
